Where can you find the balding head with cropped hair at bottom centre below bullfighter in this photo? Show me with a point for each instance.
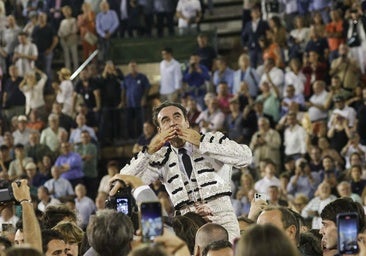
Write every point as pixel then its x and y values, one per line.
pixel 207 234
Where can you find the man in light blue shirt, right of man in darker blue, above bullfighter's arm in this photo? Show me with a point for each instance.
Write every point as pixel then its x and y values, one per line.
pixel 223 74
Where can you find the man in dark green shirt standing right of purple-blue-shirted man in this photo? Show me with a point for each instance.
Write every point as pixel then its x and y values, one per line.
pixel 88 152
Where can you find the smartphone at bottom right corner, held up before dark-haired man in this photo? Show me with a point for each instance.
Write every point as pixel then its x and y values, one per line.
pixel 347 224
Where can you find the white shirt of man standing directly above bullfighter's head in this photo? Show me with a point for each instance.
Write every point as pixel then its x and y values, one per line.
pixel 171 76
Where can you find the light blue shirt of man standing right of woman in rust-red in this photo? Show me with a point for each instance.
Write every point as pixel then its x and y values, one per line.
pixel 107 22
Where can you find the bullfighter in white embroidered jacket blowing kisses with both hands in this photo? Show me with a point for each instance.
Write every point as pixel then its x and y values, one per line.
pixel 195 169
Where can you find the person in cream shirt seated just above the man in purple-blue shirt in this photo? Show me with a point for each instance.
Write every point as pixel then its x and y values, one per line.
pixel 50 135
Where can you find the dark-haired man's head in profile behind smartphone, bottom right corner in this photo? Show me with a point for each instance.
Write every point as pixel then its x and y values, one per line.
pixel 330 231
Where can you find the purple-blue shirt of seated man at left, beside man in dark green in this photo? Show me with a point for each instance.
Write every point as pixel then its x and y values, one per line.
pixel 76 165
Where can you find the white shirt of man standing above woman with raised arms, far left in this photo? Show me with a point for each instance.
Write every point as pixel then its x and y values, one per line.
pixel 25 65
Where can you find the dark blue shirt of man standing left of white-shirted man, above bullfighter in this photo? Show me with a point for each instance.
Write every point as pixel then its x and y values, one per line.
pixel 135 88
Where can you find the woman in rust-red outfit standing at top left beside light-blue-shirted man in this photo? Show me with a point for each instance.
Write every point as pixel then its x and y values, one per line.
pixel 86 25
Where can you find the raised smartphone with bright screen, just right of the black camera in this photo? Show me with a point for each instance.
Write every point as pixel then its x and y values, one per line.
pixel 151 221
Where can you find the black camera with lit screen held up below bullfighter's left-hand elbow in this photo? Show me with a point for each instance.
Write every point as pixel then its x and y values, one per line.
pixel 124 202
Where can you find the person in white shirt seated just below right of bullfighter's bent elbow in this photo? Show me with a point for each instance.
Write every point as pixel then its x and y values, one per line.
pixel 269 178
